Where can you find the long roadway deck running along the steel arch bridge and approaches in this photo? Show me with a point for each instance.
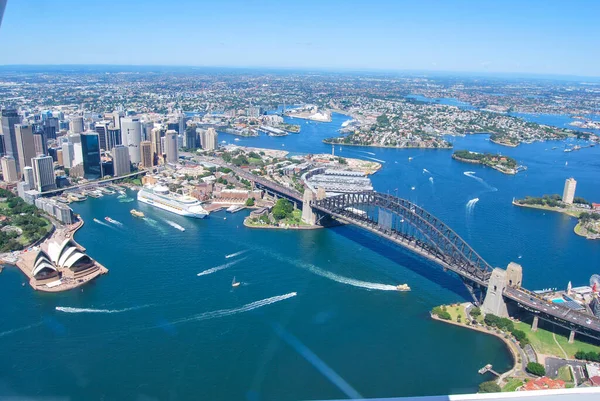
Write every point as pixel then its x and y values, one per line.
pixel 563 316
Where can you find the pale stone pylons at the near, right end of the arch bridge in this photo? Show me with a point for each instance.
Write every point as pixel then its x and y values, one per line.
pixel 500 279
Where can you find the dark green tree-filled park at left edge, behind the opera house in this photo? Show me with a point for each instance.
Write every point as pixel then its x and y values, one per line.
pixel 21 224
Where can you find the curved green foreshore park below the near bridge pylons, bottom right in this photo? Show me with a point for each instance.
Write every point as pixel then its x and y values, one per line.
pixel 518 336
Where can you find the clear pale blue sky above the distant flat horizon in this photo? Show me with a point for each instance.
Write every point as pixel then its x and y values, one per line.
pixel 506 36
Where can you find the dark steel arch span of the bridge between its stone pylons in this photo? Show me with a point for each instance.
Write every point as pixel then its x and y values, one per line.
pixel 410 226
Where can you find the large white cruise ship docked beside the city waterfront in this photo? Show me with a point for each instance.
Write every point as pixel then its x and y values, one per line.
pixel 160 197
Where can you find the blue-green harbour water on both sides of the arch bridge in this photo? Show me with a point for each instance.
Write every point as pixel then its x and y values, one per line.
pixel 315 316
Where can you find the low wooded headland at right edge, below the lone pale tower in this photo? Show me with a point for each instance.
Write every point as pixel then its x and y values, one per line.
pixel 588 225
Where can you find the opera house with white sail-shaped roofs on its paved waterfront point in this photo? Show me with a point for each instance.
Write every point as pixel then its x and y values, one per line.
pixel 60 263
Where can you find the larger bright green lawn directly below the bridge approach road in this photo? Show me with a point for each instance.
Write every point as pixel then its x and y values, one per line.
pixel 543 342
